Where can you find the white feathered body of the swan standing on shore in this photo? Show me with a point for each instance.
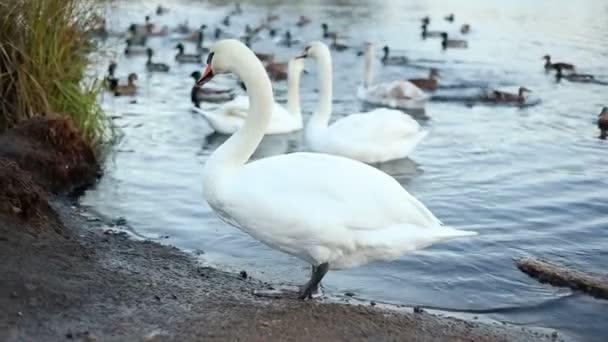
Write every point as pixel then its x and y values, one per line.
pixel 326 208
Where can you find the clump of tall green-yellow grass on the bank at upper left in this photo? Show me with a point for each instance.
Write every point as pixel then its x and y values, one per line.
pixel 45 47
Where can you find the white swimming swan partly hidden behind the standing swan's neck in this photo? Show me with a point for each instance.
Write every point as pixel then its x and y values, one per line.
pixel 231 115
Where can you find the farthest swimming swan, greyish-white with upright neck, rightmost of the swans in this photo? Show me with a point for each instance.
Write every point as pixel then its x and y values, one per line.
pixel 395 94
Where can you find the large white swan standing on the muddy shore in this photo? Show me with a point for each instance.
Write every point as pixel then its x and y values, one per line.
pixel 329 211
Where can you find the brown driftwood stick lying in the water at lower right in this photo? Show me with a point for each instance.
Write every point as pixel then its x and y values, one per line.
pixel 558 275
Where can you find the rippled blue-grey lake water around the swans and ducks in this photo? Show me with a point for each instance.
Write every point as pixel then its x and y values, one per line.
pixel 531 181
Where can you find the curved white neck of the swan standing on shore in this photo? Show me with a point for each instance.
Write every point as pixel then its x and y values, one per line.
pixel 237 150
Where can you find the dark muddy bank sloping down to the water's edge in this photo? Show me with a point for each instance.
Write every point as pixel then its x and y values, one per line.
pixel 67 275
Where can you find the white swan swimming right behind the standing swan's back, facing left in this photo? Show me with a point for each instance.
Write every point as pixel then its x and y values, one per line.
pixel 372 137
